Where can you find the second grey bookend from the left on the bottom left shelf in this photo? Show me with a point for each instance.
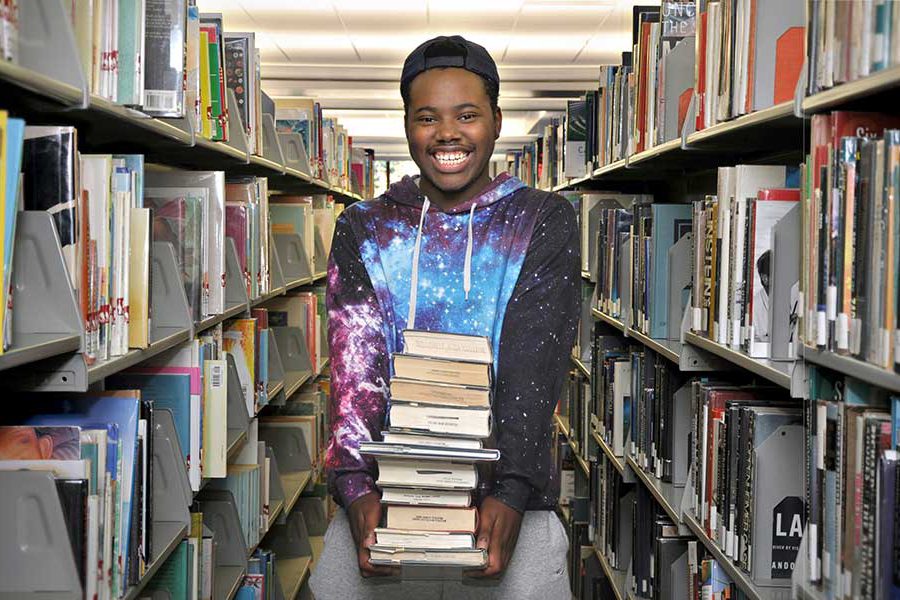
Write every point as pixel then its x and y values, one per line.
pixel 171 491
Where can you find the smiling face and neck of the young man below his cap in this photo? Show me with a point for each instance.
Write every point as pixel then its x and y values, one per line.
pixel 451 129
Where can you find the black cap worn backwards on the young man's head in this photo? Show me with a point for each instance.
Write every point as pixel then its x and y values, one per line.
pixel 449 51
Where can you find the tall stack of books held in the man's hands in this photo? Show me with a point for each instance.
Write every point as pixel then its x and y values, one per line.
pixel 440 414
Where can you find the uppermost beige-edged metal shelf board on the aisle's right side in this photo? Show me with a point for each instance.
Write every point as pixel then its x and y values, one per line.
pixel 759 132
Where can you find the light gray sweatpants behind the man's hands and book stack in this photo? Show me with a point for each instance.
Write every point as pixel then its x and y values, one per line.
pixel 536 571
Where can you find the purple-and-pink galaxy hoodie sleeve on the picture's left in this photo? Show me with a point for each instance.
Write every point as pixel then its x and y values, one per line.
pixel 359 367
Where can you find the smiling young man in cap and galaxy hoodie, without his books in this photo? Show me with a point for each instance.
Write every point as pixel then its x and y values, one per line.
pixel 452 250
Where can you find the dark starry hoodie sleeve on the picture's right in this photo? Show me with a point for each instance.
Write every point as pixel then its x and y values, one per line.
pixel 535 343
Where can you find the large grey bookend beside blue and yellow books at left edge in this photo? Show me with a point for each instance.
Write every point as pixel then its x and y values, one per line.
pixel 46 320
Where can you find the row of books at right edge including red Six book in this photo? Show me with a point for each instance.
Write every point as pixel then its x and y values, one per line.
pixel 849 287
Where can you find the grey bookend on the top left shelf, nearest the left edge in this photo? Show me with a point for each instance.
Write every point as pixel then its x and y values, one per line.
pixel 47 44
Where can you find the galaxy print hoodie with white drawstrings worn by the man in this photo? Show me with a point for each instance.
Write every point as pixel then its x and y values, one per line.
pixel 503 265
